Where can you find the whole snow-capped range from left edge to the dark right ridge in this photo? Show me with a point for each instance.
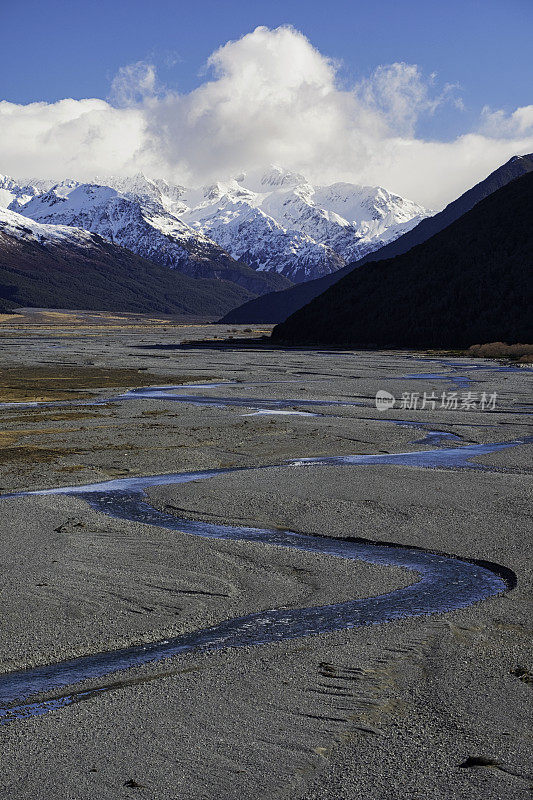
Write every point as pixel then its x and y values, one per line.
pixel 274 221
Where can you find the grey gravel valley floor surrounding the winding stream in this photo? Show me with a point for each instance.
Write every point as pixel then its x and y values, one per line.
pixel 427 708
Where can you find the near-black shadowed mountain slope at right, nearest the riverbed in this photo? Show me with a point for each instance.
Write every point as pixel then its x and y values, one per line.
pixel 469 283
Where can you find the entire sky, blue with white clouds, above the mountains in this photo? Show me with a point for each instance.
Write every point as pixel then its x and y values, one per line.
pixel 424 97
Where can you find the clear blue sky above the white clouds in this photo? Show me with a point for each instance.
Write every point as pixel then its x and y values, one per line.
pixel 53 49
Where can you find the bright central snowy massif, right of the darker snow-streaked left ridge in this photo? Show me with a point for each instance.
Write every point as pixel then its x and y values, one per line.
pixel 278 220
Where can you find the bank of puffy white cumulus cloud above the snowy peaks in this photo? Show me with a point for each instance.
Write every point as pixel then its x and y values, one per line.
pixel 267 97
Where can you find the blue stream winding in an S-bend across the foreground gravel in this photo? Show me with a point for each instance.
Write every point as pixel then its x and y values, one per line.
pixel 443 583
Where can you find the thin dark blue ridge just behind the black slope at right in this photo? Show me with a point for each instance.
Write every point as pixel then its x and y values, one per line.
pixel 278 306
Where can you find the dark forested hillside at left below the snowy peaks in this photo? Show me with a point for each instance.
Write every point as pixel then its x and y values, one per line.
pixel 104 277
